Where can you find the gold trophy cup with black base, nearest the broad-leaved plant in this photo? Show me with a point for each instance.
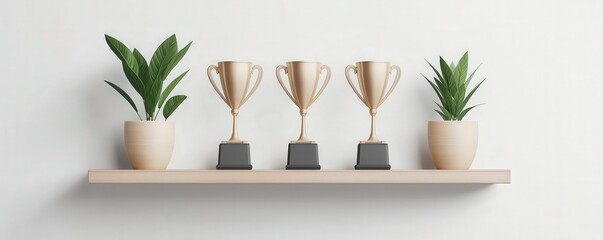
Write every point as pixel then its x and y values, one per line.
pixel 234 78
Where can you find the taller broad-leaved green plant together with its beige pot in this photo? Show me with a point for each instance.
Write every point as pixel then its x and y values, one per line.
pixel 149 142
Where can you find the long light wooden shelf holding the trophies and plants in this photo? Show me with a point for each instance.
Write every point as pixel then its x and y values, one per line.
pixel 502 176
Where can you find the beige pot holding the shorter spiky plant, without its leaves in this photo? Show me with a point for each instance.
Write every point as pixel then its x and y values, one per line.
pixel 452 144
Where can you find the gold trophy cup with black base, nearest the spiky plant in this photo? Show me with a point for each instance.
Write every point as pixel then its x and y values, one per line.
pixel 372 79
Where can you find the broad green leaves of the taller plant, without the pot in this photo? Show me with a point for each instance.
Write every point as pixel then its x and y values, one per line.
pixel 148 78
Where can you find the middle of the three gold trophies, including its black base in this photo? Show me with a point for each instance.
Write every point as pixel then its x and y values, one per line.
pixel 303 82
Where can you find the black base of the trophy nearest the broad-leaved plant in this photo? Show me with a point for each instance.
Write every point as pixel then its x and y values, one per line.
pixel 234 156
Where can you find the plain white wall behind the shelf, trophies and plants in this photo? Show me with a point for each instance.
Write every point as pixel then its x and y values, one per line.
pixel 542 60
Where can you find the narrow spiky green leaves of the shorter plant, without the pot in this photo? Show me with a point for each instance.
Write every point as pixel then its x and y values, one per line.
pixel 450 85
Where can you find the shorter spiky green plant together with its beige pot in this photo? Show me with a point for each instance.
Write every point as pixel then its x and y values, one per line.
pixel 453 142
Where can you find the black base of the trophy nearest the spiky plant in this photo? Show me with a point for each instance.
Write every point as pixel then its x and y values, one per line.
pixel 372 156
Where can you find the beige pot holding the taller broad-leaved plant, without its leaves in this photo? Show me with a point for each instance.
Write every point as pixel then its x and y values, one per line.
pixel 149 144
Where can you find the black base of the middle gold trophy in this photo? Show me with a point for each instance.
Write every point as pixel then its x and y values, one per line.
pixel 303 156
